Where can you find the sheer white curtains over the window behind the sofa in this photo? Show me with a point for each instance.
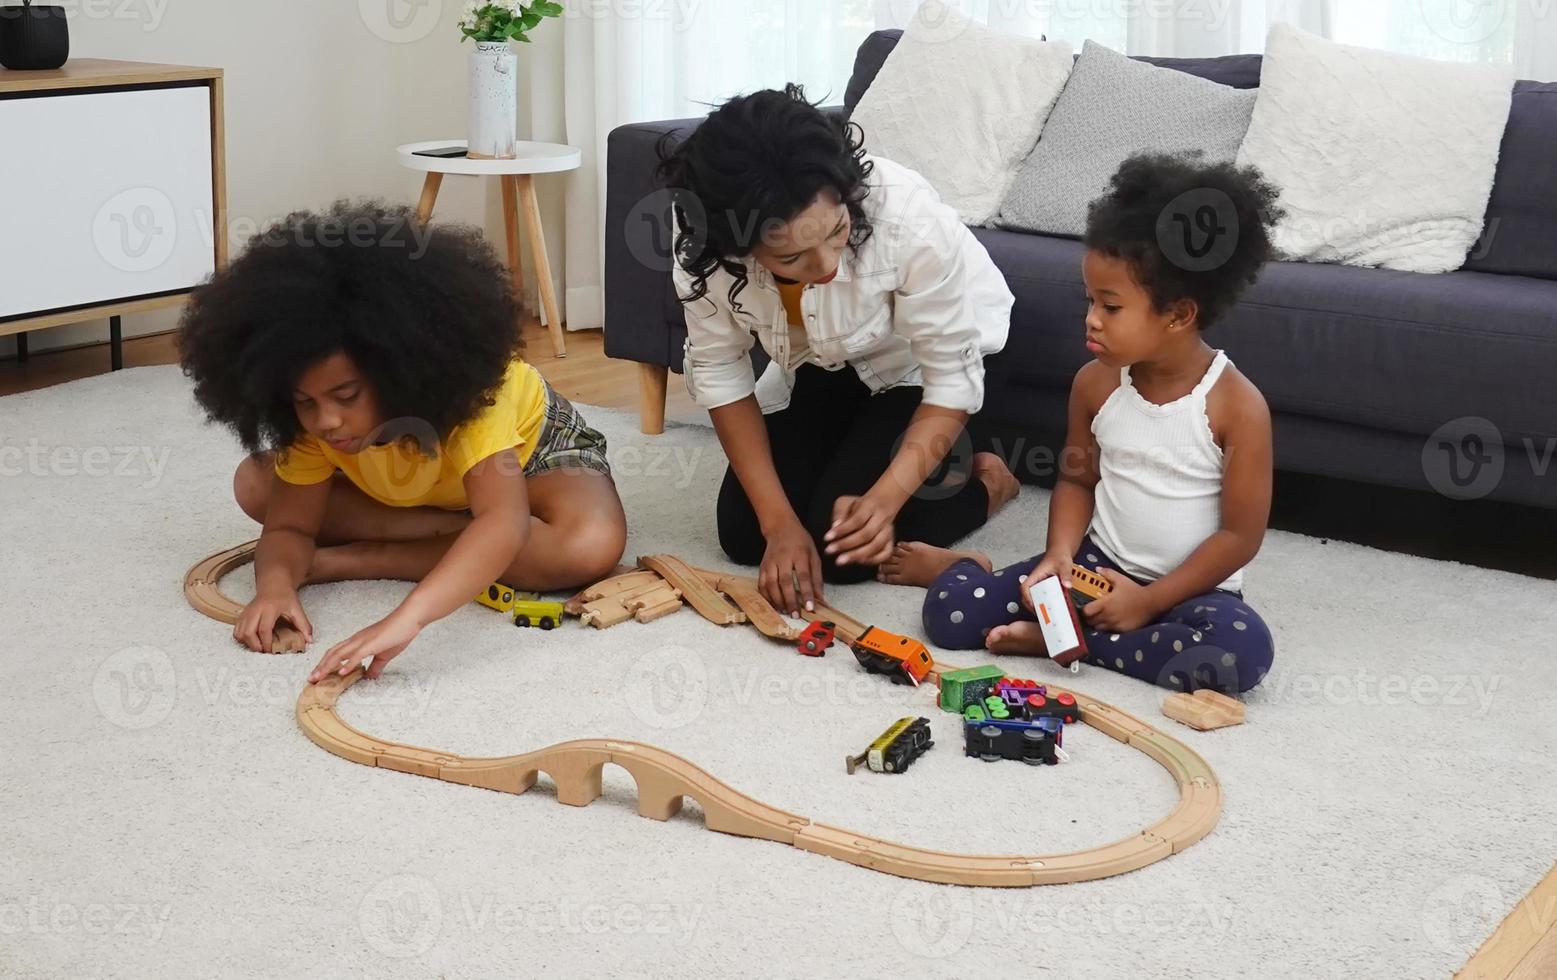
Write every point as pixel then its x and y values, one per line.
pixel 624 62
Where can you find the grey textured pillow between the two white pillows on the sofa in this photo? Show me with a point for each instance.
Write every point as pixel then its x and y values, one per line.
pixel 1111 110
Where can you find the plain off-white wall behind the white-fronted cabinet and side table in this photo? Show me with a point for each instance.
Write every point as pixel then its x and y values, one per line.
pixel 318 96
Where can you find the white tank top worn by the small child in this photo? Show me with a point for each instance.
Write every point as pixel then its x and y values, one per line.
pixel 1161 495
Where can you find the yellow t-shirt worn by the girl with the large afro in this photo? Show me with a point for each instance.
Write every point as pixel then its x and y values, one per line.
pixel 399 474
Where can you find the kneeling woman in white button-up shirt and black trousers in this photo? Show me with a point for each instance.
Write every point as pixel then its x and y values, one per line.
pixel 876 306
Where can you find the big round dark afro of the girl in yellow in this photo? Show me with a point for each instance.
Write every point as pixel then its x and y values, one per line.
pixel 427 312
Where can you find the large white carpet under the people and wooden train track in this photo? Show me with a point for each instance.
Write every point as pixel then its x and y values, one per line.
pixel 1390 802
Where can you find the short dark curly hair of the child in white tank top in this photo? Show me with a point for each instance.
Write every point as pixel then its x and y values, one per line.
pixel 1170 219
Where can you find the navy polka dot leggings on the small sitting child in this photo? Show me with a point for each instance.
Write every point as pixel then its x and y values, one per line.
pixel 1211 641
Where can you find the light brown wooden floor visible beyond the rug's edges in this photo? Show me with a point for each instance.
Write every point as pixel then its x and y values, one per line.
pixel 1525 945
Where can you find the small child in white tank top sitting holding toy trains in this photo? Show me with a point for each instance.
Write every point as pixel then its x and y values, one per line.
pixel 1165 481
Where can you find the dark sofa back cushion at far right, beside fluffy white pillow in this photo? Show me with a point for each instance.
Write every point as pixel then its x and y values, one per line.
pixel 1520 236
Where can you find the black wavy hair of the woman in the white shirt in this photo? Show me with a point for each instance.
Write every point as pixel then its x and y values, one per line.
pixel 759 160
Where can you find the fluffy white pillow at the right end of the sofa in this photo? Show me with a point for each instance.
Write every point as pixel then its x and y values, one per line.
pixel 1382 160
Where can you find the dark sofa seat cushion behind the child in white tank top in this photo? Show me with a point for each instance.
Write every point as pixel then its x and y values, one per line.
pixel 1396 351
